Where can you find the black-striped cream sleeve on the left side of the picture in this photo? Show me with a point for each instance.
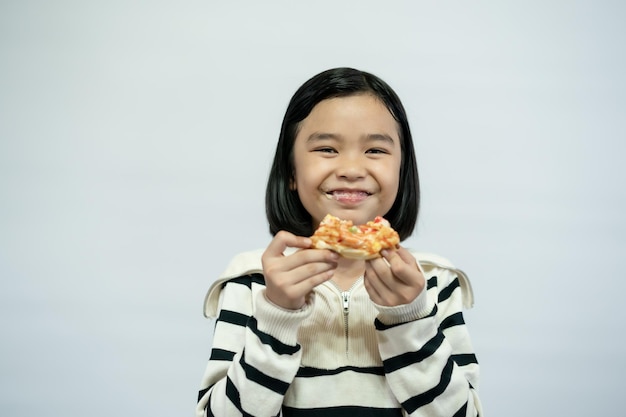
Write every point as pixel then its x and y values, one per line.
pixel 254 357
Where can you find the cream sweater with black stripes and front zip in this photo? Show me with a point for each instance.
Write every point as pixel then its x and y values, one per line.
pixel 340 355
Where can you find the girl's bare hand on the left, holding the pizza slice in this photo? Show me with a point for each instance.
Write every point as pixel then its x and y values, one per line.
pixel 289 279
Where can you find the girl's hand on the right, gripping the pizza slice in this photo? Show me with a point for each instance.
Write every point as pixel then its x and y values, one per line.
pixel 393 279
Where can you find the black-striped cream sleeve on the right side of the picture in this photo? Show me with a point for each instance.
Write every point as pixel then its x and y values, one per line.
pixel 427 353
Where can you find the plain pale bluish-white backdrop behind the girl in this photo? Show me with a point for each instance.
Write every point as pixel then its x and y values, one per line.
pixel 135 141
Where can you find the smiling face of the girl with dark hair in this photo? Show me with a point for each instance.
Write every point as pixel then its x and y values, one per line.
pixel 347 158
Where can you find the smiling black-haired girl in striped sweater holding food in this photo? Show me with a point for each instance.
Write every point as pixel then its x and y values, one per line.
pixel 304 332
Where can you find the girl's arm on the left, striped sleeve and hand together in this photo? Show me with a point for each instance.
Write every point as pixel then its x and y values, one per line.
pixel 255 353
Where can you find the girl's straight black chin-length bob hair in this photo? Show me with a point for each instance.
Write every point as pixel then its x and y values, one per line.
pixel 283 207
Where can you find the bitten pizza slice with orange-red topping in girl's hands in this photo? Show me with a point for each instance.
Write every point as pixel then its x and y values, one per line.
pixel 355 241
